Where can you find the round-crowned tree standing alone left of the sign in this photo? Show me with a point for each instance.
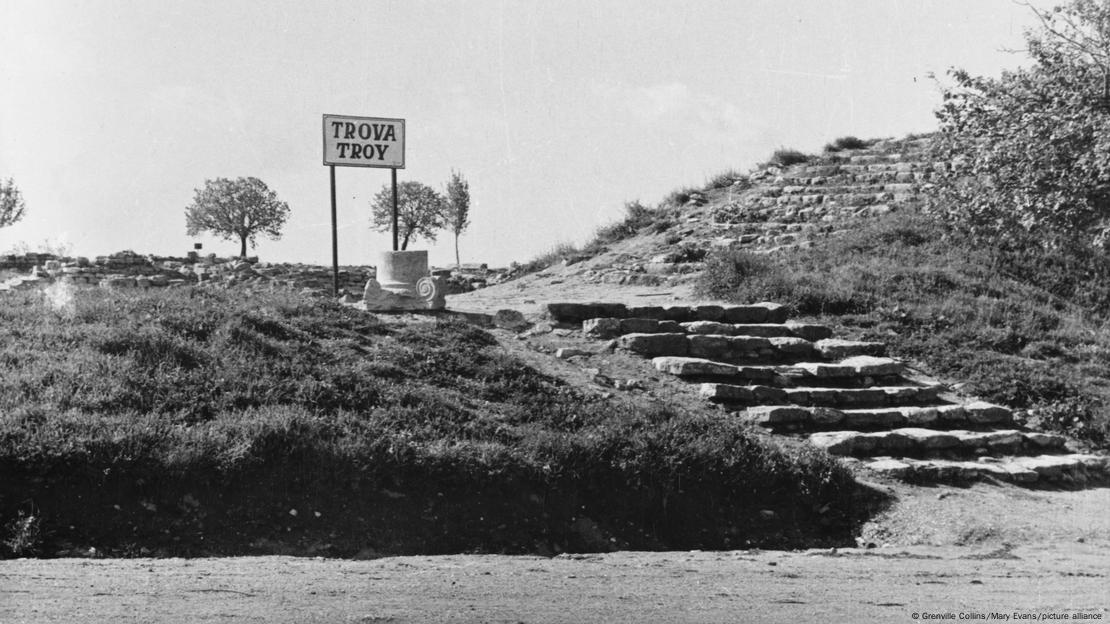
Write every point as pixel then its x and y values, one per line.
pixel 231 209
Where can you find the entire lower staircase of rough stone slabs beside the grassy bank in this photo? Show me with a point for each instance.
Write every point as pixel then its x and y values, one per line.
pixel 846 397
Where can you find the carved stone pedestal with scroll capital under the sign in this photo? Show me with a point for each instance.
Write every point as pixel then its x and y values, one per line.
pixel 403 283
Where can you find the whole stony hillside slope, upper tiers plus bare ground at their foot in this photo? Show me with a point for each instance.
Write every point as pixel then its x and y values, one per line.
pixel 660 254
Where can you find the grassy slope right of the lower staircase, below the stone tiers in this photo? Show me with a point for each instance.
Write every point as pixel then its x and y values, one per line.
pixel 1023 327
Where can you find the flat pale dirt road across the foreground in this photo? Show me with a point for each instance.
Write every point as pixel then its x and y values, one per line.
pixel 874 586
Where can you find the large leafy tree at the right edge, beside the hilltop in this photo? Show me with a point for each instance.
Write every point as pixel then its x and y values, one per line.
pixel 1031 150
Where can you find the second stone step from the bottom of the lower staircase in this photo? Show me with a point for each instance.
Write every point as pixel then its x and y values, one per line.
pixel 920 442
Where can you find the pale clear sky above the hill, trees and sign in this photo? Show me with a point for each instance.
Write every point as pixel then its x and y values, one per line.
pixel 114 113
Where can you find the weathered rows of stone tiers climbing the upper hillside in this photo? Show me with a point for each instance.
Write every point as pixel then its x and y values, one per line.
pixel 769 210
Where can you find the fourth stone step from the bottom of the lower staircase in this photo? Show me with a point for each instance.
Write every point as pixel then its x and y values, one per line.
pixel 844 398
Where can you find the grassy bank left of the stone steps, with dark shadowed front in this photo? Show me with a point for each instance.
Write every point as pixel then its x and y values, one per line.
pixel 130 401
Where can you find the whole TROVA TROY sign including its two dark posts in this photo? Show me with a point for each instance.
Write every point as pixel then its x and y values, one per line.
pixel 362 142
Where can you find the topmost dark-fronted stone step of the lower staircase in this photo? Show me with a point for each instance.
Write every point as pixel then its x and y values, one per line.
pixel 764 313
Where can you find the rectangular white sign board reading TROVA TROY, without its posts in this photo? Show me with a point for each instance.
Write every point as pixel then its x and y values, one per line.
pixel 365 142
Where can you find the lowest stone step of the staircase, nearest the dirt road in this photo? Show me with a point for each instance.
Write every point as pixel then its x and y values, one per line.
pixel 1074 468
